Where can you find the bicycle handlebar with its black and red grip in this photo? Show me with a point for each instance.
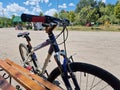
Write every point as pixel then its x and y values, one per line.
pixel 43 19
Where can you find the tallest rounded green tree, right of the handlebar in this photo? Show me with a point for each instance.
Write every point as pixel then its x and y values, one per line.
pixel 90 10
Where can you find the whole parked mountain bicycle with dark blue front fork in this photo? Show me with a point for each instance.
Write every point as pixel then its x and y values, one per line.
pixel 69 71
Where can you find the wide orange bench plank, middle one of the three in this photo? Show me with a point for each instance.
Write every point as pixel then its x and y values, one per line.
pixel 19 77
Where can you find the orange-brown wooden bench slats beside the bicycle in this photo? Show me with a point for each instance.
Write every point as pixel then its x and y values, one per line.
pixel 25 78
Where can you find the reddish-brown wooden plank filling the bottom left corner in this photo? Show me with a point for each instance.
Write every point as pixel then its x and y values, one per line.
pixel 4 85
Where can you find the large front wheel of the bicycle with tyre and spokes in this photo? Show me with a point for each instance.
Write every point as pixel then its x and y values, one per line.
pixel 89 77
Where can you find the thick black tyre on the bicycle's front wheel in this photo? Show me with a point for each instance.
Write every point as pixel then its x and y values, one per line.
pixel 92 70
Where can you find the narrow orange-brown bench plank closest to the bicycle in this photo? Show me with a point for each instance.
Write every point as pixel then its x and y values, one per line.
pixel 33 76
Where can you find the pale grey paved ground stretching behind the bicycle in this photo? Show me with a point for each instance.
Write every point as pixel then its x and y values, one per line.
pixel 99 48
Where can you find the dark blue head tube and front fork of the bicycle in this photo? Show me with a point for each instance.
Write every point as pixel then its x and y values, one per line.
pixel 64 74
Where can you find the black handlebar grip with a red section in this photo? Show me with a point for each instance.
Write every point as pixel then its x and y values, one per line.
pixel 32 18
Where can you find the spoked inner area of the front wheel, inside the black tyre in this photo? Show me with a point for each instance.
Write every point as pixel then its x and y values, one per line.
pixel 86 82
